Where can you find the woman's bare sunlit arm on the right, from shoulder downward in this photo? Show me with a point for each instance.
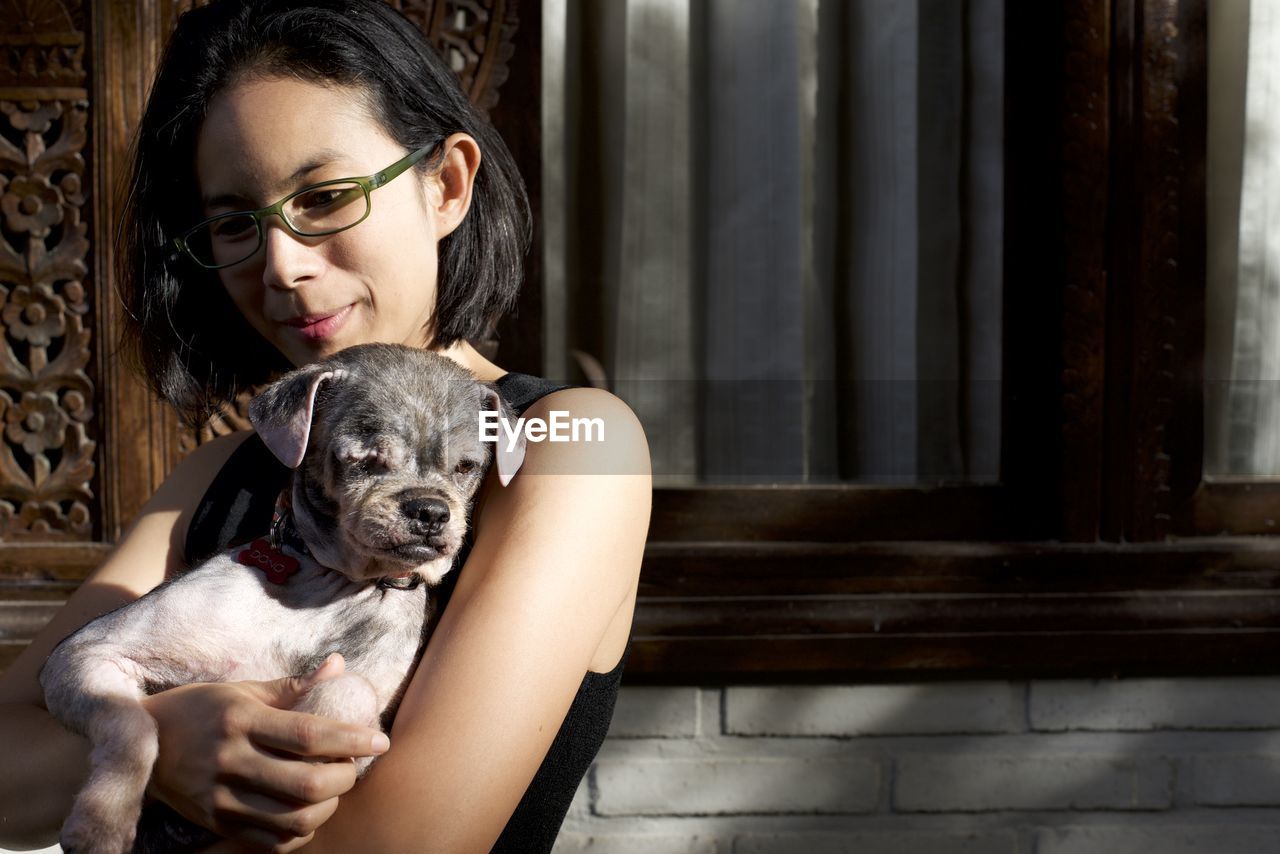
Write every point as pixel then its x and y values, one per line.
pixel 557 555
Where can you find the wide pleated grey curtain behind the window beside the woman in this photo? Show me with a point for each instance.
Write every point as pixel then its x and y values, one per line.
pixel 775 230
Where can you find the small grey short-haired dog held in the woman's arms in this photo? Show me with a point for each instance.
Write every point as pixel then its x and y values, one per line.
pixel 387 455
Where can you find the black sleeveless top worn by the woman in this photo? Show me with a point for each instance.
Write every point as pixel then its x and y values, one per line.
pixel 237 508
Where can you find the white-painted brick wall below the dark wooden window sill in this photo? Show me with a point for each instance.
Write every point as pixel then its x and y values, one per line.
pixel 1160 766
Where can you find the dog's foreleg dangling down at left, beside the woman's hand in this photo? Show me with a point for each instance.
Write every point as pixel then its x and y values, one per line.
pixel 125 739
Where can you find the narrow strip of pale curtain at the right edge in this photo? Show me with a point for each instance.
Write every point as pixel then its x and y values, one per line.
pixel 1242 360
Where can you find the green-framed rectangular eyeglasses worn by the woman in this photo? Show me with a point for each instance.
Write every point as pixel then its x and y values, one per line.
pixel 327 208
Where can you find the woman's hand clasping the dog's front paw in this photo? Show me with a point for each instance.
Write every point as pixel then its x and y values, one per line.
pixel 235 761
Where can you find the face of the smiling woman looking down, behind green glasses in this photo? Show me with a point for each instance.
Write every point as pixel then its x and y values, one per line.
pixel 314 296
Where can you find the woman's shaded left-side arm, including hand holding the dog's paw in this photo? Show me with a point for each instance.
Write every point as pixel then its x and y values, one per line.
pixel 223 747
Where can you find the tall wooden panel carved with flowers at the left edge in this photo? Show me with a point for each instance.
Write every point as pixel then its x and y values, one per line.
pixel 47 319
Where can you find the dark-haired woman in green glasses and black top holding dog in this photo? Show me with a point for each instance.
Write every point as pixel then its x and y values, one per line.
pixel 257 101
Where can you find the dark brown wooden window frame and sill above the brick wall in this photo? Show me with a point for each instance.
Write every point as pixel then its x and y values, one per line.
pixel 1105 550
